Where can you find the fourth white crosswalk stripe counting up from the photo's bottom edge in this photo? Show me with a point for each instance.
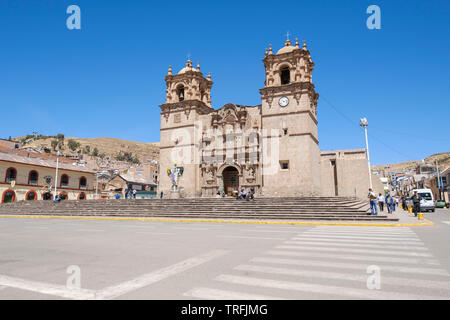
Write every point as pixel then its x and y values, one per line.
pixel 352 266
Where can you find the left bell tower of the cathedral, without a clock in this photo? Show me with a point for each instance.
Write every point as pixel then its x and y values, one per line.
pixel 188 97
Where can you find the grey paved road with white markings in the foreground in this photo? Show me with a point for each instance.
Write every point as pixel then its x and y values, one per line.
pixel 173 260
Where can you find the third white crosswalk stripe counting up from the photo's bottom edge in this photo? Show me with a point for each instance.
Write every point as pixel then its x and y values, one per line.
pixel 361 277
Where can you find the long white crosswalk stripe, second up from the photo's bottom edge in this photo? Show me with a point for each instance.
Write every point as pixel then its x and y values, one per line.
pixel 321 289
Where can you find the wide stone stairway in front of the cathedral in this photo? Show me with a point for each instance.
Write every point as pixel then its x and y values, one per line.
pixel 284 208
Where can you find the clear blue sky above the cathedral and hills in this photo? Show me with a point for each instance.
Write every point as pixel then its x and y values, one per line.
pixel 107 79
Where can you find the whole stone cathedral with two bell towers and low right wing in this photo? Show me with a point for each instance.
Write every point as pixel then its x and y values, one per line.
pixel 272 147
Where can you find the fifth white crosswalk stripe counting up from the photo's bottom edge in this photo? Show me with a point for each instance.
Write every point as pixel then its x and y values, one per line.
pixel 354 257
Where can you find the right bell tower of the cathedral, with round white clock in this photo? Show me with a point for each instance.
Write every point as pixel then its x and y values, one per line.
pixel 289 119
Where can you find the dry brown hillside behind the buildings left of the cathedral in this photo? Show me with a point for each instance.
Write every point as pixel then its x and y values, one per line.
pixel 109 147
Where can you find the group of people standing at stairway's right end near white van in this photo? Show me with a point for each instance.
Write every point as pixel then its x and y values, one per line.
pixel 392 202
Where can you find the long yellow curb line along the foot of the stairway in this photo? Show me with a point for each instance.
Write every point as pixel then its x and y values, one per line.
pixel 429 223
